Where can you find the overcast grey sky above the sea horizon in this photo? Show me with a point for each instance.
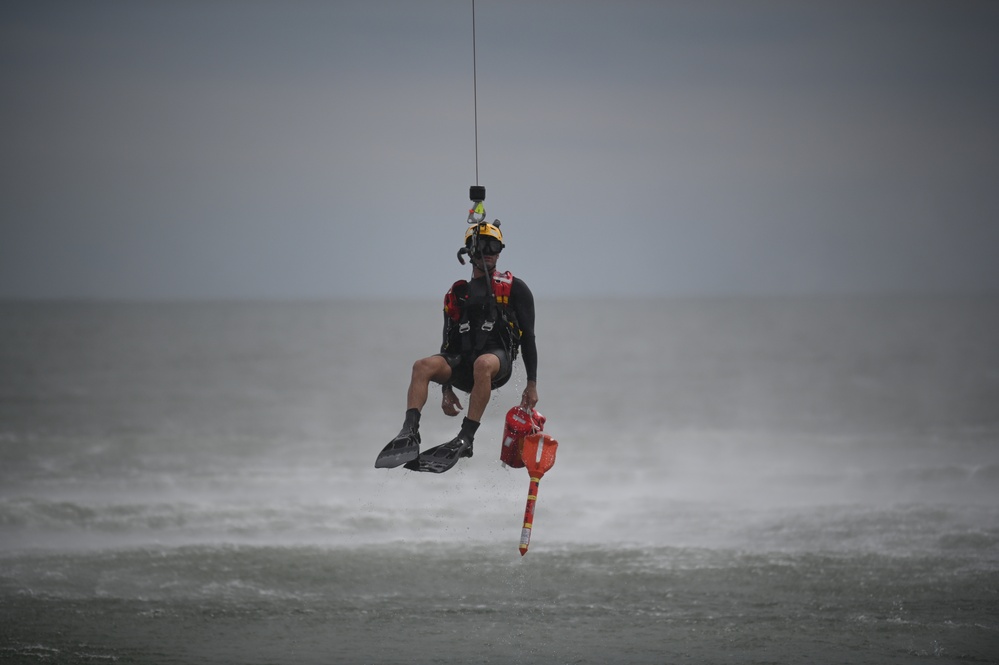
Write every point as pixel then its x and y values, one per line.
pixel 205 148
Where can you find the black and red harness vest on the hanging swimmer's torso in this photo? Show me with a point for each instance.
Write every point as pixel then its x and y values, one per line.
pixel 466 333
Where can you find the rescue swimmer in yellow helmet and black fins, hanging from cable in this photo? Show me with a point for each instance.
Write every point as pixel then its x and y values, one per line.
pixel 488 320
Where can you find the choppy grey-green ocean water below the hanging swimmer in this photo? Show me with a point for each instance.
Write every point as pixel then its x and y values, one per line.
pixel 738 481
